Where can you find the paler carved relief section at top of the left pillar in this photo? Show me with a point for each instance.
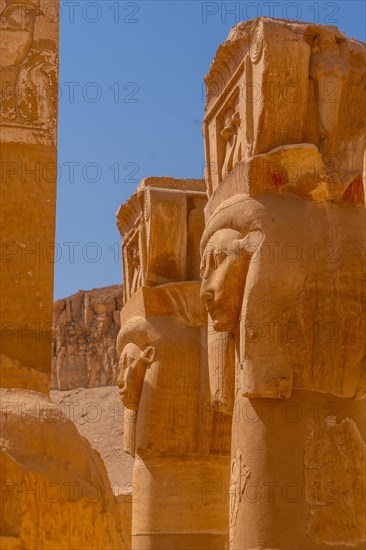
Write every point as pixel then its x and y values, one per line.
pixel 28 73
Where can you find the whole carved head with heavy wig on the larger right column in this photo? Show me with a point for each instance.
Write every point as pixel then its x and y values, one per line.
pixel 309 254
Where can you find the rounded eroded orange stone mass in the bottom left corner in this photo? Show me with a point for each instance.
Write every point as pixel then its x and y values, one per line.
pixel 54 485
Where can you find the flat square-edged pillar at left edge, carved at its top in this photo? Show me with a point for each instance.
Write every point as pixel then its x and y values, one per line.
pixel 28 122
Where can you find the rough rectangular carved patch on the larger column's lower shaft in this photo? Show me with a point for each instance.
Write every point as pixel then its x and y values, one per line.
pixel 335 482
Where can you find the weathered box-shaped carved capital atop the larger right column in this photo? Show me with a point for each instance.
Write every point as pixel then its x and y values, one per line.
pixel 272 97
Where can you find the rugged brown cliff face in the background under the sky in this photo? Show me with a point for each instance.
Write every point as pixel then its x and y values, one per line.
pixel 86 325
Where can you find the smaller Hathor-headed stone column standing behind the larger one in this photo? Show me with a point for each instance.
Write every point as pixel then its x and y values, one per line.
pixel 180 443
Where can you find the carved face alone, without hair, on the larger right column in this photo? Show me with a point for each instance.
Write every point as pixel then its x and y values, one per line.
pixel 224 268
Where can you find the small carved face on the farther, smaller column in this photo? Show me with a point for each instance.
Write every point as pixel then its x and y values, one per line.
pixel 133 365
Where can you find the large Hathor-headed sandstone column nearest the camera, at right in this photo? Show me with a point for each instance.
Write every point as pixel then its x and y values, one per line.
pixel 283 271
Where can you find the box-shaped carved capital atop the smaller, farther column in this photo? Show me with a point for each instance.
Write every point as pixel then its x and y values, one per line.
pixel 158 216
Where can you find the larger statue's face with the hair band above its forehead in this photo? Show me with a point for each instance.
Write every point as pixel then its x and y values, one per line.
pixel 228 244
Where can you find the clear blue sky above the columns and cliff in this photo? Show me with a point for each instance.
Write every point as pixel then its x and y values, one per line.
pixel 131 106
